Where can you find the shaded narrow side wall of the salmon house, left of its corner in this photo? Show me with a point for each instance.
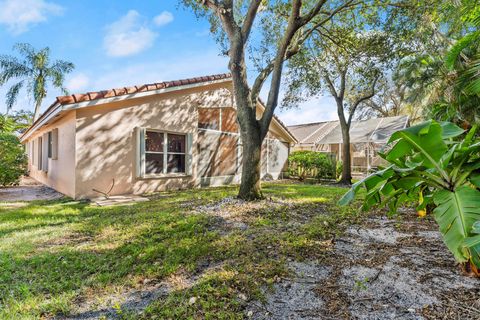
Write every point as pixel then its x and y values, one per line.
pixel 61 172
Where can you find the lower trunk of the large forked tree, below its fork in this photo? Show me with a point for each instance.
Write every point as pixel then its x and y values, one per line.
pixel 251 166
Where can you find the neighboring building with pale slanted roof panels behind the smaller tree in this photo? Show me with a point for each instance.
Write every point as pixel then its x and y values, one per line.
pixel 367 137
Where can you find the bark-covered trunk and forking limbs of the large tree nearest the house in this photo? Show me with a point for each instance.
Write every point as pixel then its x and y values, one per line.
pixel 253 131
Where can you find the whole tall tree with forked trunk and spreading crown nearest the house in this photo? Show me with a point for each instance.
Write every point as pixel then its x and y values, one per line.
pixel 276 30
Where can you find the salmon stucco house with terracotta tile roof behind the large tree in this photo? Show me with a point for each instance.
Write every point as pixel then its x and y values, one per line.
pixel 155 137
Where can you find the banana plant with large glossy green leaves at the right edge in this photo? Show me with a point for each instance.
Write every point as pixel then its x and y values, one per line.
pixel 434 164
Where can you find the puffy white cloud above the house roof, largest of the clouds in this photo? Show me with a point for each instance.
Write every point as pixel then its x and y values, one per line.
pixel 128 36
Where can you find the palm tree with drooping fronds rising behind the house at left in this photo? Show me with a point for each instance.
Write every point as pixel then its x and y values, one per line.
pixel 33 71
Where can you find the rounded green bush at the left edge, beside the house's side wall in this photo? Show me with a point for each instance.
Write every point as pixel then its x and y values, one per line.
pixel 13 161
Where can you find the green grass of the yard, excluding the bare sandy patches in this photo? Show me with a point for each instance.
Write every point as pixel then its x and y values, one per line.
pixel 56 254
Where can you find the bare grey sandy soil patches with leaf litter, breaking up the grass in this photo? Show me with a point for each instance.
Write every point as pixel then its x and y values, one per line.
pixel 381 269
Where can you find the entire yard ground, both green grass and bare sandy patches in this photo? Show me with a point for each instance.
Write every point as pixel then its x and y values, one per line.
pixel 203 254
